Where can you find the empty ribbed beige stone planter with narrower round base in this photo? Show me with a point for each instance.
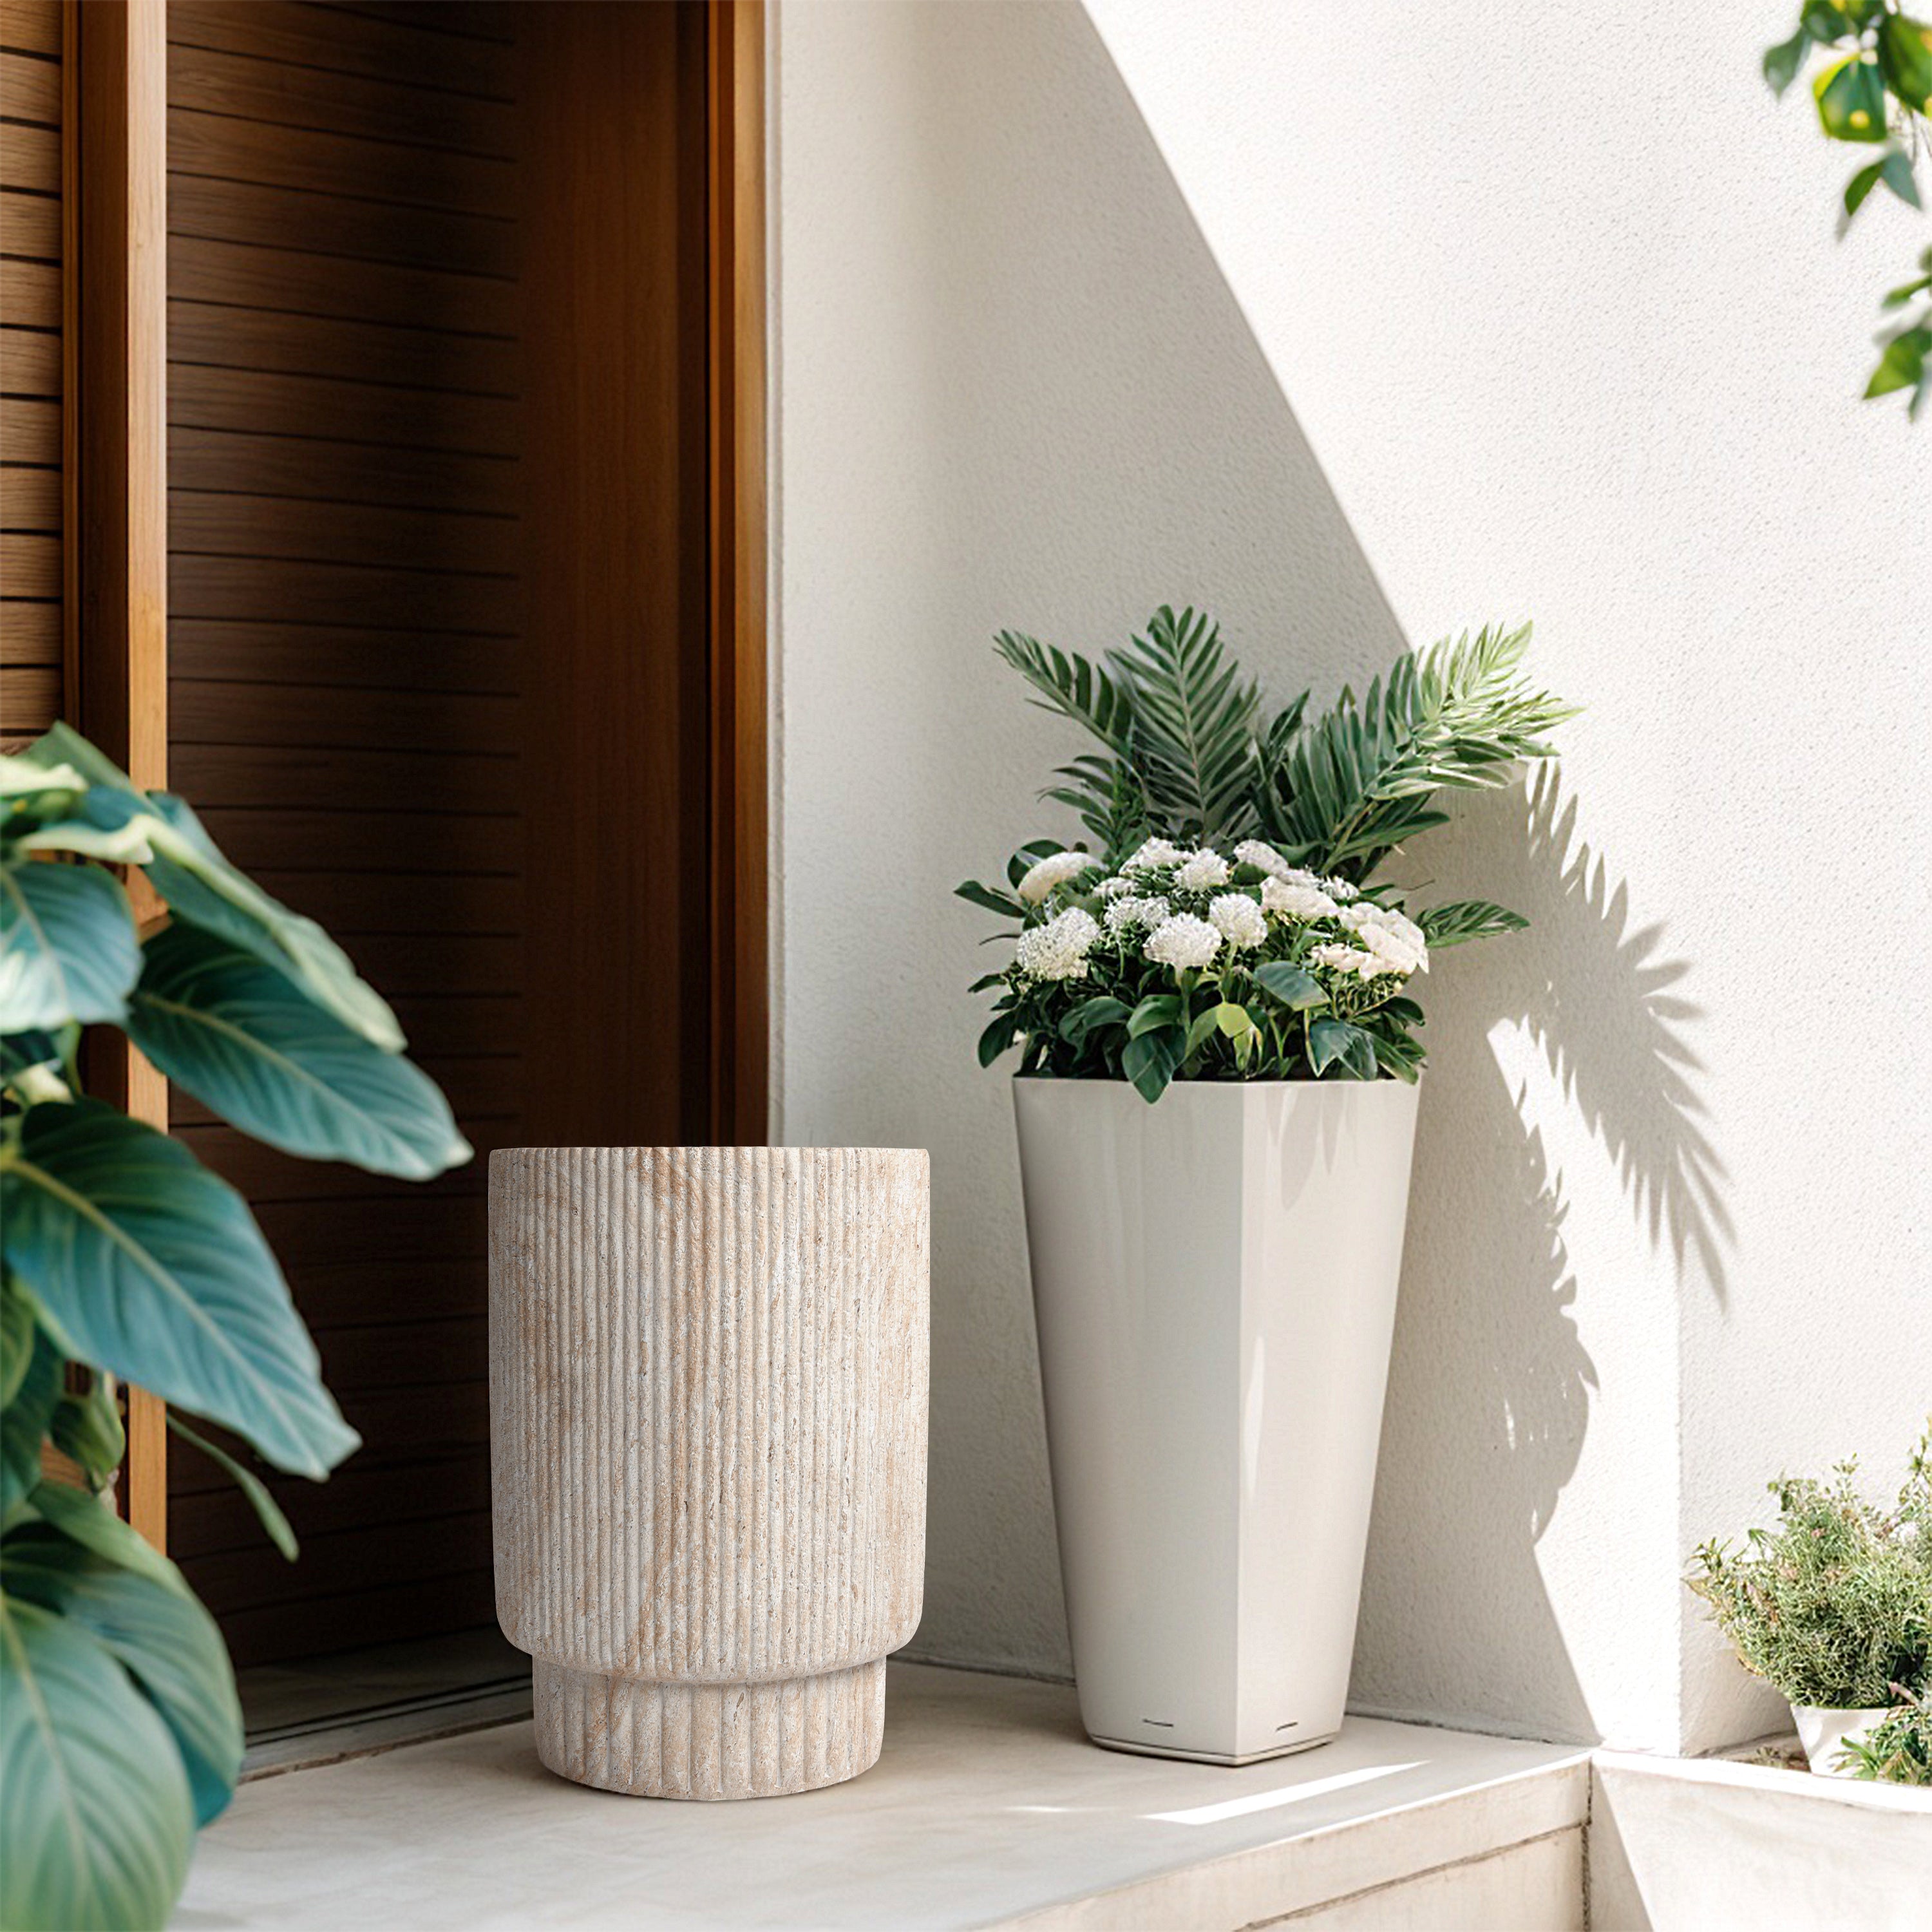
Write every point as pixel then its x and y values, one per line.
pixel 708 1456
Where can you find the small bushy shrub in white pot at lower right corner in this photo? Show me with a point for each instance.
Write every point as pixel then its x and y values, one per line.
pixel 1834 1606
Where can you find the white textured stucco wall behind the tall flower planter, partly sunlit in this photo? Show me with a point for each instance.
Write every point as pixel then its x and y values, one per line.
pixel 1363 326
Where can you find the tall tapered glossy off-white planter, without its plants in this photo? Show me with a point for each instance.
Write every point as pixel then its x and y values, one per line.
pixel 1214 1280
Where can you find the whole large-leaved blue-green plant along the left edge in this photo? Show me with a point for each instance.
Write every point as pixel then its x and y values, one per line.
pixel 125 1261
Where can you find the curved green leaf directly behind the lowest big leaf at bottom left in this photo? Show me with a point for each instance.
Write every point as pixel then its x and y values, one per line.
pixel 156 1630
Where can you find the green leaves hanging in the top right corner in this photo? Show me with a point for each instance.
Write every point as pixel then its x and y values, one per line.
pixel 1875 90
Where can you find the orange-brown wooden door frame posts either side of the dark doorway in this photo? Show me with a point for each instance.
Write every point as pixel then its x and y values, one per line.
pixel 117 482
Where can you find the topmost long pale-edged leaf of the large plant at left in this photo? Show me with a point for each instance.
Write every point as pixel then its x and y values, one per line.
pixel 192 876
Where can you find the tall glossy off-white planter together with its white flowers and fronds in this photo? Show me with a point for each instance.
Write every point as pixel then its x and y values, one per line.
pixel 1214 1274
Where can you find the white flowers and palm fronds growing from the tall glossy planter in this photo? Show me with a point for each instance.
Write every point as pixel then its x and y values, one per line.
pixel 1228 923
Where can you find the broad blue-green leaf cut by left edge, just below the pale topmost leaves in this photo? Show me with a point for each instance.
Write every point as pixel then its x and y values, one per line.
pixel 69 948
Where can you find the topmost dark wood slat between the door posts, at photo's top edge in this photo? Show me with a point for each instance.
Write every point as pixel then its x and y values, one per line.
pixel 343 43
